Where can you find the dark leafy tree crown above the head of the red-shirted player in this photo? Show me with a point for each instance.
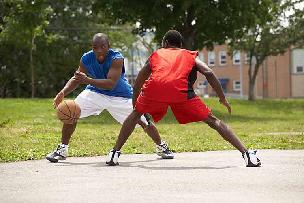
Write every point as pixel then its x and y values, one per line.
pixel 201 22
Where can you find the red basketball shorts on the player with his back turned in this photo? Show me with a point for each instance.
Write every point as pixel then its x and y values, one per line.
pixel 192 110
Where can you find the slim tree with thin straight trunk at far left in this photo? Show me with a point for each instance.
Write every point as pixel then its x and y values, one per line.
pixel 24 22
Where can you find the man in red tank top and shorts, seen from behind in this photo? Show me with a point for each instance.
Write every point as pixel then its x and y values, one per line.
pixel 166 80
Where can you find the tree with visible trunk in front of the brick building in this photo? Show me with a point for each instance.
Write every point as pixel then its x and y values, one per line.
pixel 270 36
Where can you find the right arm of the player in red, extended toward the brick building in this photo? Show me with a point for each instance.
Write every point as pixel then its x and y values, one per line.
pixel 214 82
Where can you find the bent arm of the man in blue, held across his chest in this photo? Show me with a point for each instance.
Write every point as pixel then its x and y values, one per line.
pixel 108 83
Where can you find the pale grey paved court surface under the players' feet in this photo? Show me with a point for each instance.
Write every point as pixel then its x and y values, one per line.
pixel 190 177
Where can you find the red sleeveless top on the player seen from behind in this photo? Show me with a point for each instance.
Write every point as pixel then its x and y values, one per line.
pixel 173 75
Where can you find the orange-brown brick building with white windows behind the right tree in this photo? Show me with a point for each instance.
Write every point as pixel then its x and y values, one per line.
pixel 279 76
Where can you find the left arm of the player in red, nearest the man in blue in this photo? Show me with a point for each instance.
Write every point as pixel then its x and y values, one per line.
pixel 143 75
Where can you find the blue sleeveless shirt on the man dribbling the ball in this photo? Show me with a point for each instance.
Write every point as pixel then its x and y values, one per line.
pixel 100 71
